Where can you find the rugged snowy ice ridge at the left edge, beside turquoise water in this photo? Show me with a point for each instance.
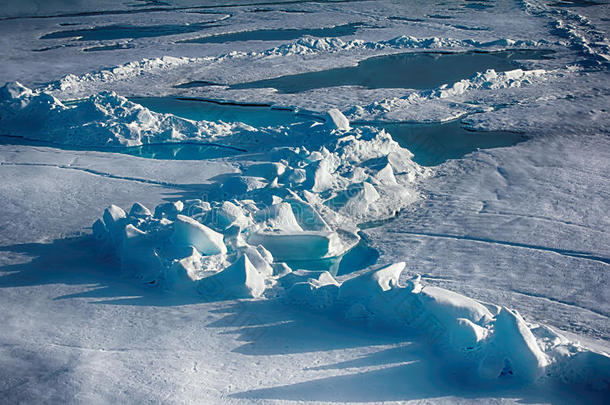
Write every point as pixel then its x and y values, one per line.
pixel 104 119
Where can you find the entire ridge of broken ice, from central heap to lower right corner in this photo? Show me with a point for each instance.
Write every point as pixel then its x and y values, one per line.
pixel 236 245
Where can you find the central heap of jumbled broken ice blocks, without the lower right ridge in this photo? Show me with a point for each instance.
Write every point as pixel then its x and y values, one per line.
pixel 285 209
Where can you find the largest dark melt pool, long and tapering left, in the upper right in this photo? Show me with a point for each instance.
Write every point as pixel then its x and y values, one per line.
pixel 422 70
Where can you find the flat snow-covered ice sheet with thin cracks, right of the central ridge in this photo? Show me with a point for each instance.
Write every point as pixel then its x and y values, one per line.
pixel 512 221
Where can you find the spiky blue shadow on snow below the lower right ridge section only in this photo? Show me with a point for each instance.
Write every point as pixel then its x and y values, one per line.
pixel 395 367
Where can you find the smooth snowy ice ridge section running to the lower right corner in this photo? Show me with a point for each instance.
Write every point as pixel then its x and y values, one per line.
pixel 493 346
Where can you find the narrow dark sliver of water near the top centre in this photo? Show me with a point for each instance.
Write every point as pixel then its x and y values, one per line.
pixel 277 34
